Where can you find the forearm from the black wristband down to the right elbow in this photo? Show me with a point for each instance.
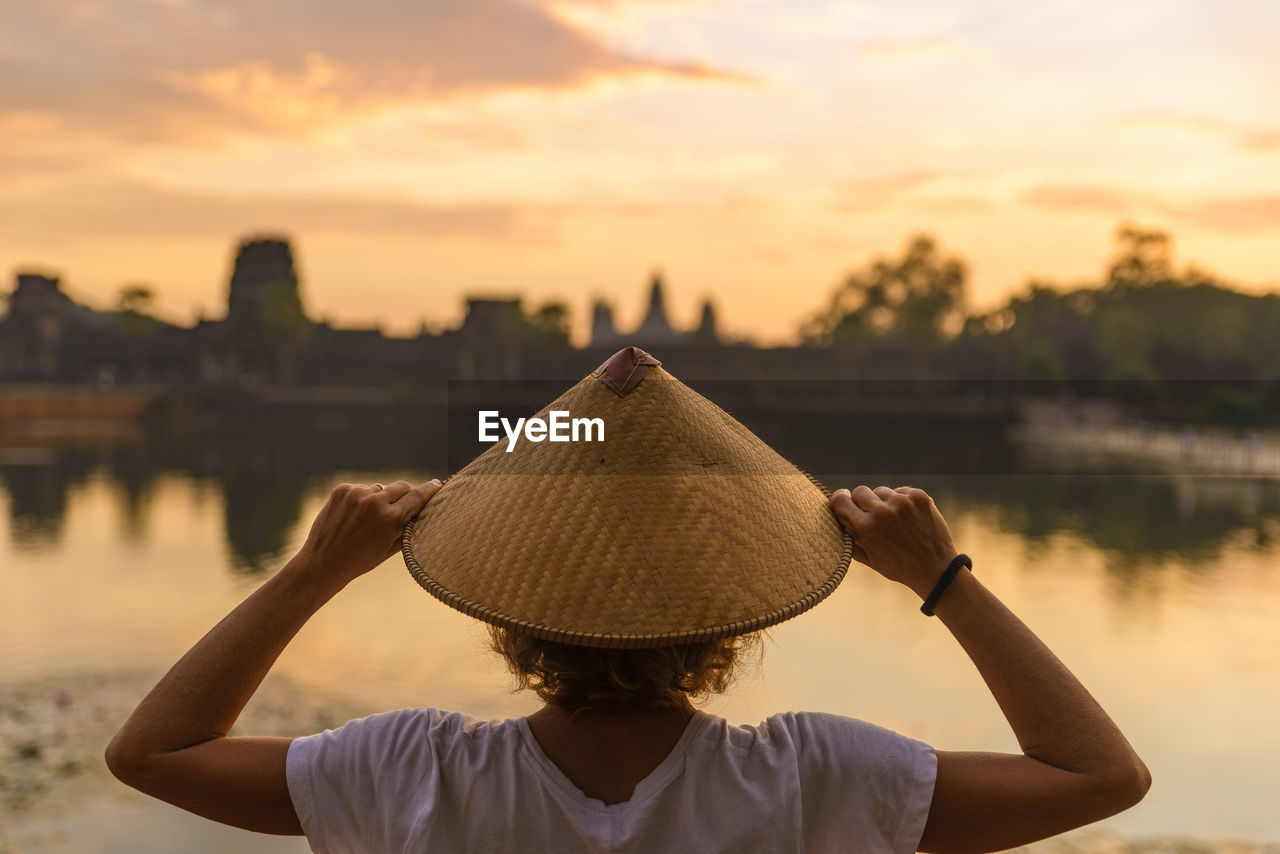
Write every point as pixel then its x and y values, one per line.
pixel 1054 718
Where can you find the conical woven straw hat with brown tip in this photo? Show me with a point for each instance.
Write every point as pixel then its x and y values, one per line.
pixel 680 526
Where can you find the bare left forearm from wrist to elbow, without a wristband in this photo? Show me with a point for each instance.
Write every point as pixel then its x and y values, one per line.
pixel 204 693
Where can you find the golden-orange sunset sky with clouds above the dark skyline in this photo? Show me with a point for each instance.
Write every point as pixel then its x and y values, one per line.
pixel 755 150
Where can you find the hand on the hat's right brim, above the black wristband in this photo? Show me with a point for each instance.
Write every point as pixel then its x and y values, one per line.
pixel 899 533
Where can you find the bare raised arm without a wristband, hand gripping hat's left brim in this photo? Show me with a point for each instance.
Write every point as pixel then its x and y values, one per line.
pixel 175 747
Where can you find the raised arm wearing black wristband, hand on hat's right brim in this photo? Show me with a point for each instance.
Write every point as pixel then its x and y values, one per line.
pixel 1076 768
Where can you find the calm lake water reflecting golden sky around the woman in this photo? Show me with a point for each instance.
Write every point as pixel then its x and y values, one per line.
pixel 1160 592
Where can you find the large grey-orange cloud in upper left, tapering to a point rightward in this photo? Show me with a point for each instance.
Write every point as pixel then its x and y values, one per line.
pixel 191 72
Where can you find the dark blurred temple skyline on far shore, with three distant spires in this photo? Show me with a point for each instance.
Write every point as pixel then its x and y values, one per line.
pixel 268 339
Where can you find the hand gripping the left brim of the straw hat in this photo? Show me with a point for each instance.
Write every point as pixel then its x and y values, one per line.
pixel 360 527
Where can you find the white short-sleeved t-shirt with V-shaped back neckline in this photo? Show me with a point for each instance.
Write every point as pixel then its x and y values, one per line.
pixel 427 780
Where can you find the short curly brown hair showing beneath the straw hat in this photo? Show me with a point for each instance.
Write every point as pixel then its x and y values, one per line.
pixel 578 679
